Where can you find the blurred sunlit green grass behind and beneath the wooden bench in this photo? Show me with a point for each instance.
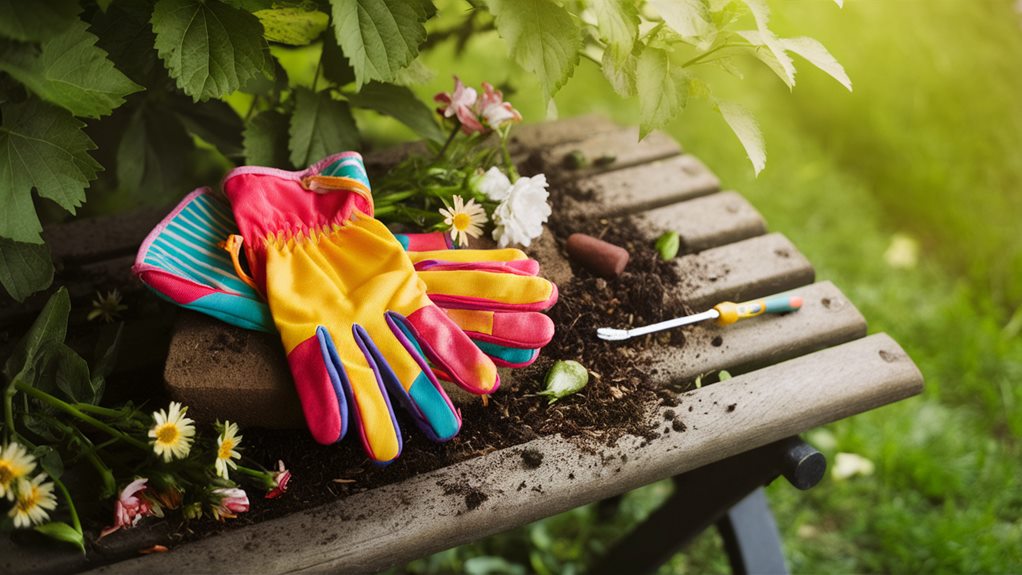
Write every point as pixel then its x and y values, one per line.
pixel 926 149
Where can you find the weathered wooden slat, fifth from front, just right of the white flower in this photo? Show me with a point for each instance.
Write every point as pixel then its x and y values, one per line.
pixel 641 187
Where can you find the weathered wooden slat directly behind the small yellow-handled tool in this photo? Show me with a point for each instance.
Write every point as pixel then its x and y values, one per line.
pixel 740 271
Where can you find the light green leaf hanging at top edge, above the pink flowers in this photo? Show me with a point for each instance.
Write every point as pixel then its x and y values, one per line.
pixel 543 38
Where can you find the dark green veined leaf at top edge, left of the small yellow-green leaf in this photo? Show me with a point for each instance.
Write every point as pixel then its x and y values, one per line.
pixel 210 49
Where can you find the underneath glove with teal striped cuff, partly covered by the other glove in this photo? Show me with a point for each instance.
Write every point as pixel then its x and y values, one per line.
pixel 181 261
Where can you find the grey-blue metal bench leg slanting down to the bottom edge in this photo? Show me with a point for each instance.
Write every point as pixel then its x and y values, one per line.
pixel 752 539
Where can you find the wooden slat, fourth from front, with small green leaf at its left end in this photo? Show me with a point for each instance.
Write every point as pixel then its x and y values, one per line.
pixel 706 222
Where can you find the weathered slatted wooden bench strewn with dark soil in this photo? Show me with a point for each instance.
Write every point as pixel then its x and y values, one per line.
pixel 793 373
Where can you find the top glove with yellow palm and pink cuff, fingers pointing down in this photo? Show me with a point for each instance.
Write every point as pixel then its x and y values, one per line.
pixel 354 316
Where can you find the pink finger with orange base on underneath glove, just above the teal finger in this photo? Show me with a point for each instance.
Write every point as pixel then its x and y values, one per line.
pixel 524 330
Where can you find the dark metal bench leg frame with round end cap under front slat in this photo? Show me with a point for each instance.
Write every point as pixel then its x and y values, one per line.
pixel 721 493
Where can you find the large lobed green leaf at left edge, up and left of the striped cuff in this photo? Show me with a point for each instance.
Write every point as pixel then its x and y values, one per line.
pixel 41 147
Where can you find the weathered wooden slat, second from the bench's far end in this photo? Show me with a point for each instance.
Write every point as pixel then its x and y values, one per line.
pixel 610 151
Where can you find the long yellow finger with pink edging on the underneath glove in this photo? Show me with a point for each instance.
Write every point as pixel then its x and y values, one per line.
pixel 486 291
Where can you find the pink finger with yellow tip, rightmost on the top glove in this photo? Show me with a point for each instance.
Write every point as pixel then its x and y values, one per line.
pixel 448 349
